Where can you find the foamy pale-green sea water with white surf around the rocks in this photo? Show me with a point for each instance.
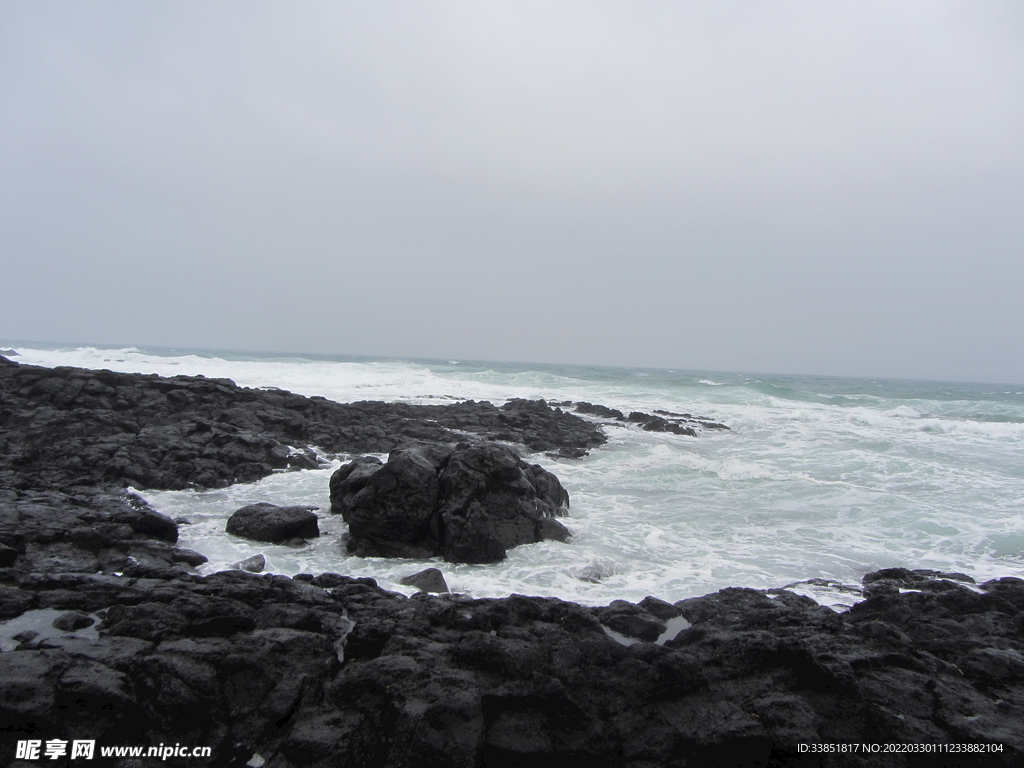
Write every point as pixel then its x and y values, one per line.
pixel 821 479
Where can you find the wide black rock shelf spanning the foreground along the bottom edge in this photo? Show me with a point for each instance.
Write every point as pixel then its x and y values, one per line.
pixel 333 671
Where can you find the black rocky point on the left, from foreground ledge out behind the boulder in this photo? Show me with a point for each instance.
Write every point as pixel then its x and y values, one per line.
pixel 71 440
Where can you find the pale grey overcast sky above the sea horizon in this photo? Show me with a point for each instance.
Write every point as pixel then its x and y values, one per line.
pixel 821 188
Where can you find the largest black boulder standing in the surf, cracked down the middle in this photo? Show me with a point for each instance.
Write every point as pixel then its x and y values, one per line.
pixel 467 503
